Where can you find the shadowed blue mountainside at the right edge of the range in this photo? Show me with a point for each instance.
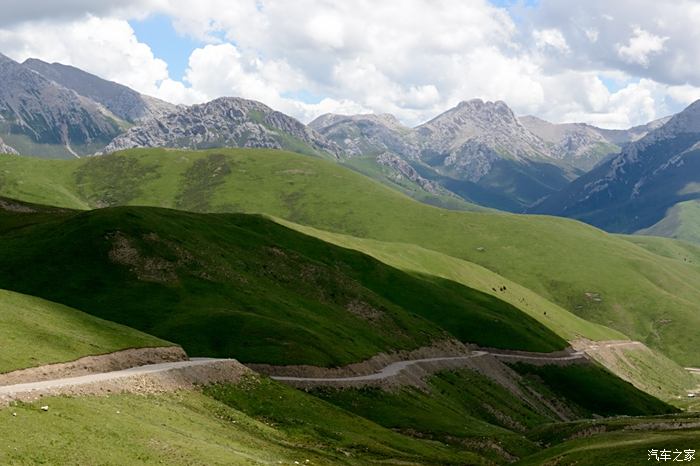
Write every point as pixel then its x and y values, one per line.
pixel 634 189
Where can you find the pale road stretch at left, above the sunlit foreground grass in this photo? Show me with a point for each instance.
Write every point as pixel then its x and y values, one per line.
pixel 103 376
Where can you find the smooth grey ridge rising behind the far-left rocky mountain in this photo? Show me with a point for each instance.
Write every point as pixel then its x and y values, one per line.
pixel 120 100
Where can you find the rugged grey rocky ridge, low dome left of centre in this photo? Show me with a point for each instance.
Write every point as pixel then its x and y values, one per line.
pixel 225 122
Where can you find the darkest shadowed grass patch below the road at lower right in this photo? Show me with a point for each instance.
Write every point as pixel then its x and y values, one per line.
pixel 594 389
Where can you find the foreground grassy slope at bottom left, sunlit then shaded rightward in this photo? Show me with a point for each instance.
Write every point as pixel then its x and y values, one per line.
pixel 188 428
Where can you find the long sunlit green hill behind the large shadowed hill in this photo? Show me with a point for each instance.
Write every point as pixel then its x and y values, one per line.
pixel 643 295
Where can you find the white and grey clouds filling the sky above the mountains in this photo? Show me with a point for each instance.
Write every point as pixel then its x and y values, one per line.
pixel 413 58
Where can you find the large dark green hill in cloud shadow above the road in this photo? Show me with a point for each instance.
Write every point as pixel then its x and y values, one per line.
pixel 244 286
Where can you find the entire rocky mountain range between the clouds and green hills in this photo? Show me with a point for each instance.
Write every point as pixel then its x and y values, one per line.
pixel 475 154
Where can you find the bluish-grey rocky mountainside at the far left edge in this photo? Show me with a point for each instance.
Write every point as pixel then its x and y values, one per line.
pixel 48 113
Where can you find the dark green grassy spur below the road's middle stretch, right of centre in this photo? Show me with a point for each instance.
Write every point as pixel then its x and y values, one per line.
pixel 461 408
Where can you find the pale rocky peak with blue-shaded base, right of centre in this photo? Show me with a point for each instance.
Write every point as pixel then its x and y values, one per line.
pixel 477 149
